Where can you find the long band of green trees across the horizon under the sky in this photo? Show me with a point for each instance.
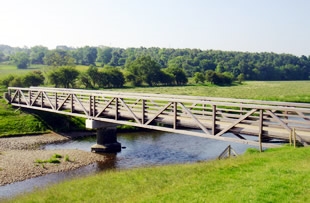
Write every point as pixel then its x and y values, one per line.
pixel 160 66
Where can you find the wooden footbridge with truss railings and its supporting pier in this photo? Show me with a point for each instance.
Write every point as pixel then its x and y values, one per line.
pixel 245 121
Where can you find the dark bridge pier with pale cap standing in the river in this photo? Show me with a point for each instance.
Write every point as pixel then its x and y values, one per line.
pixel 106 136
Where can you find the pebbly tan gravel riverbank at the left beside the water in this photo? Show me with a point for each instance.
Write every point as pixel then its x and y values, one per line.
pixel 18 156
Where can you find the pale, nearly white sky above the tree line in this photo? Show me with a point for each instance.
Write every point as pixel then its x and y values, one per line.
pixel 280 26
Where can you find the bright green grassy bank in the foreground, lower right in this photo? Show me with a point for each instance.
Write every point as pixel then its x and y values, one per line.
pixel 278 175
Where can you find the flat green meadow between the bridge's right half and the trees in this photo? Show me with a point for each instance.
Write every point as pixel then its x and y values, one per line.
pixel 292 91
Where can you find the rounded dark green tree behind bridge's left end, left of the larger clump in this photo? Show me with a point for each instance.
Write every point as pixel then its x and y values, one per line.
pixel 64 76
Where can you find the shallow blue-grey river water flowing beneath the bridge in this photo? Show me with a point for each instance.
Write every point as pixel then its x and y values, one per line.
pixel 141 149
